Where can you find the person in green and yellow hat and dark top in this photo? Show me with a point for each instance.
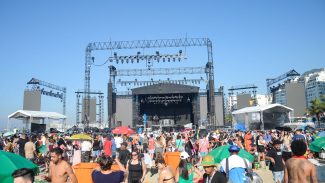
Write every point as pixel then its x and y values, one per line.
pixel 211 175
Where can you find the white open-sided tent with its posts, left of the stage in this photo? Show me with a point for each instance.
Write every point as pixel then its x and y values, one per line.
pixel 30 116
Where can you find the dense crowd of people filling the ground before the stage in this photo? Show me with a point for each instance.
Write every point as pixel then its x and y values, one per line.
pixel 136 155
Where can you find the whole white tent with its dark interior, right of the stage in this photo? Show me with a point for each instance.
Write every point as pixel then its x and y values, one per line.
pixel 262 117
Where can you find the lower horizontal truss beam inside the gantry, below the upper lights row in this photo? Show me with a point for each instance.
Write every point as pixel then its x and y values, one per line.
pixel 161 71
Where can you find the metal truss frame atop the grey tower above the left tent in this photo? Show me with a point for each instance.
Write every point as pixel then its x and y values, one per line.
pixel 62 96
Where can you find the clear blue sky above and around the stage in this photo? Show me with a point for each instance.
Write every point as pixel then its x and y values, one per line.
pixel 252 40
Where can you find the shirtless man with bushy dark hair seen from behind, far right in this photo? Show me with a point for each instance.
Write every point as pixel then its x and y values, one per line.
pixel 298 168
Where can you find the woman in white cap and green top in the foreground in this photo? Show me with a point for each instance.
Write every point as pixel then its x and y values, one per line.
pixel 185 170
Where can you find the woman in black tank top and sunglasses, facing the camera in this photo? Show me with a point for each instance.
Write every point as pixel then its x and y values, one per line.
pixel 136 168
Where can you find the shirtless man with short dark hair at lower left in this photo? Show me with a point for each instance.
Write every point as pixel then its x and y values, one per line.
pixel 60 171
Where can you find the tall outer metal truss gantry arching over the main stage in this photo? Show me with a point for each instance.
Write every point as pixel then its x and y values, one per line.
pixel 141 44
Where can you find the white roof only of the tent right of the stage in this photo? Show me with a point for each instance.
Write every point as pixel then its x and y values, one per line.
pixel 262 108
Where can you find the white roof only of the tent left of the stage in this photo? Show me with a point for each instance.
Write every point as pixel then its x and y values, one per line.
pixel 22 114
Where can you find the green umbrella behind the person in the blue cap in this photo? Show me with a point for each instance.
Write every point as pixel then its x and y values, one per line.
pixel 222 152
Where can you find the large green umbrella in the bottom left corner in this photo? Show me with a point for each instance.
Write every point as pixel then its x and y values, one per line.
pixel 11 162
